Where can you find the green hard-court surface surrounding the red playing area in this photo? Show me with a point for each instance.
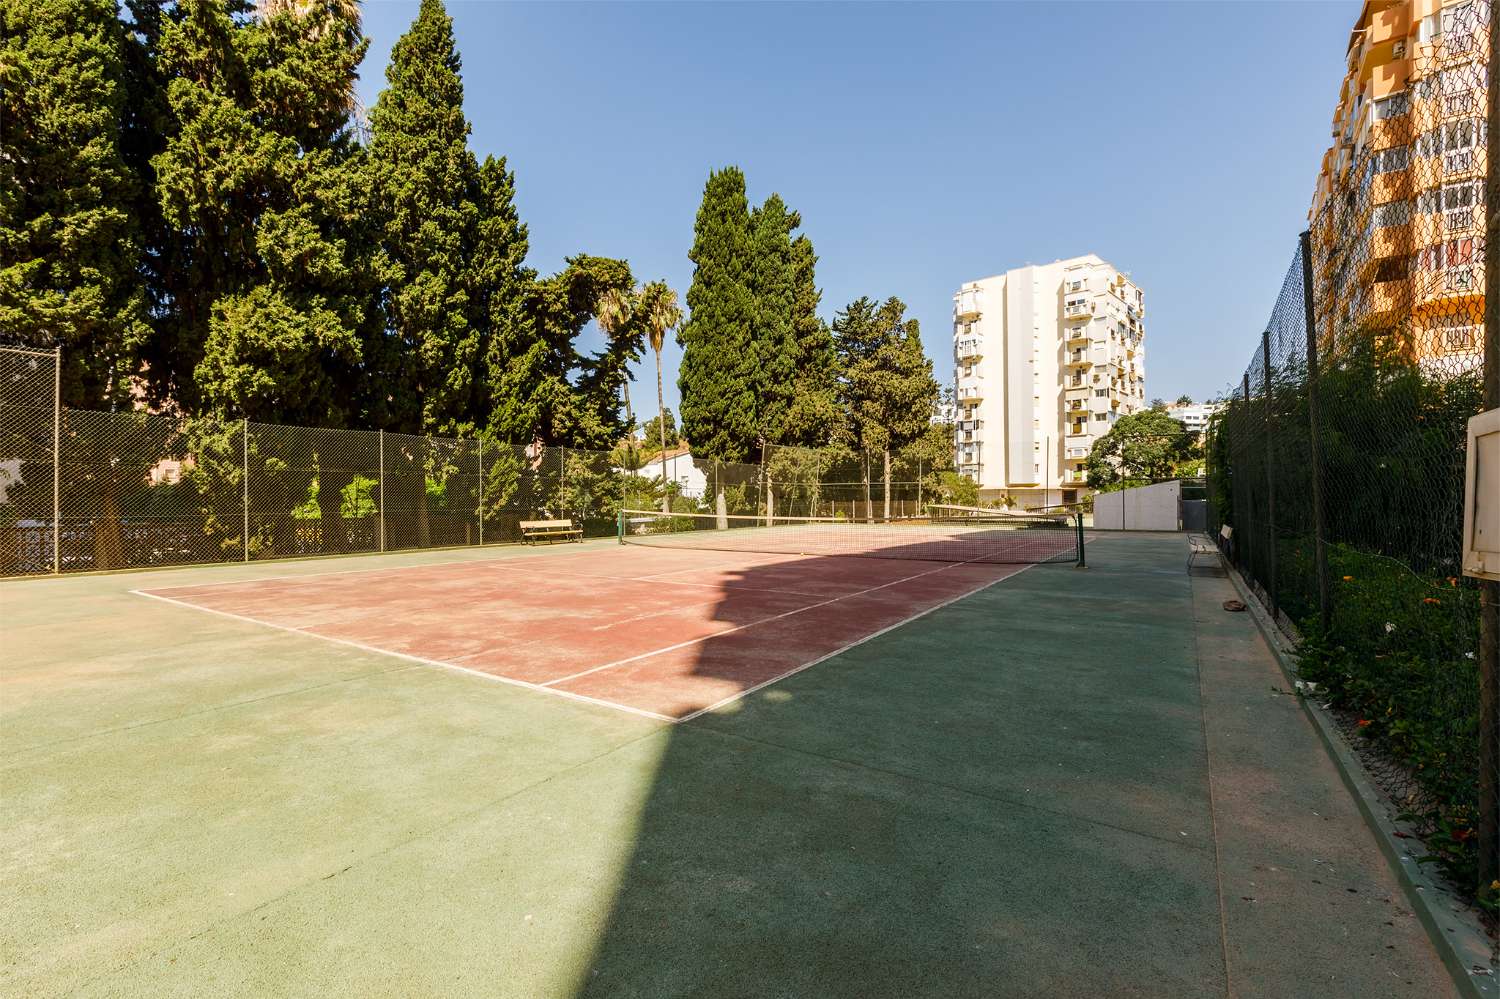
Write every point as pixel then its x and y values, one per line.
pixel 1064 784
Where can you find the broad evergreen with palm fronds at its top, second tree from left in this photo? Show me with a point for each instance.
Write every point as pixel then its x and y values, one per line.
pixel 266 290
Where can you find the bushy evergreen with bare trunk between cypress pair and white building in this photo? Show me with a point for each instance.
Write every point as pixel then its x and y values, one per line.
pixel 887 382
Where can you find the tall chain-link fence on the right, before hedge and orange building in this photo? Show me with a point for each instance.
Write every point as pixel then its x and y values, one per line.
pixel 1339 460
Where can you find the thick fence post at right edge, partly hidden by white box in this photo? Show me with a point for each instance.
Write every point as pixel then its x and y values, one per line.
pixel 1490 589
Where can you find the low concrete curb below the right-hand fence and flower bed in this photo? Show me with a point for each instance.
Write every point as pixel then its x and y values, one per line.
pixel 1468 952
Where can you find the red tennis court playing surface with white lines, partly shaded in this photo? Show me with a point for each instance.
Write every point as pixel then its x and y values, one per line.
pixel 668 634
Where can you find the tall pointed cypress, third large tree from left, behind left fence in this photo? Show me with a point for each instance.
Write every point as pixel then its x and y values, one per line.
pixel 427 187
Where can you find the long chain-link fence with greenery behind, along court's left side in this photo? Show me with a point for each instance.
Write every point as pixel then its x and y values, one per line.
pixel 86 491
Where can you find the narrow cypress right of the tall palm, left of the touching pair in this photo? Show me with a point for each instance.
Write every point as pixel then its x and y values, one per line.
pixel 716 379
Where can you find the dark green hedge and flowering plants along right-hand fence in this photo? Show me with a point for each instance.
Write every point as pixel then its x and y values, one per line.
pixel 1339 461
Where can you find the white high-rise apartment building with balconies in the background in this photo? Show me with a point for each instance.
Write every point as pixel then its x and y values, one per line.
pixel 1046 361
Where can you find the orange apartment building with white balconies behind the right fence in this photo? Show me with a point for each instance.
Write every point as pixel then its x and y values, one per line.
pixel 1397 220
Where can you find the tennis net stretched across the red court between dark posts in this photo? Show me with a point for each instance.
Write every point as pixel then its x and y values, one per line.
pixel 1004 539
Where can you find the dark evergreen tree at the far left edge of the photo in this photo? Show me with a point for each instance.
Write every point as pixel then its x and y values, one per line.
pixel 71 248
